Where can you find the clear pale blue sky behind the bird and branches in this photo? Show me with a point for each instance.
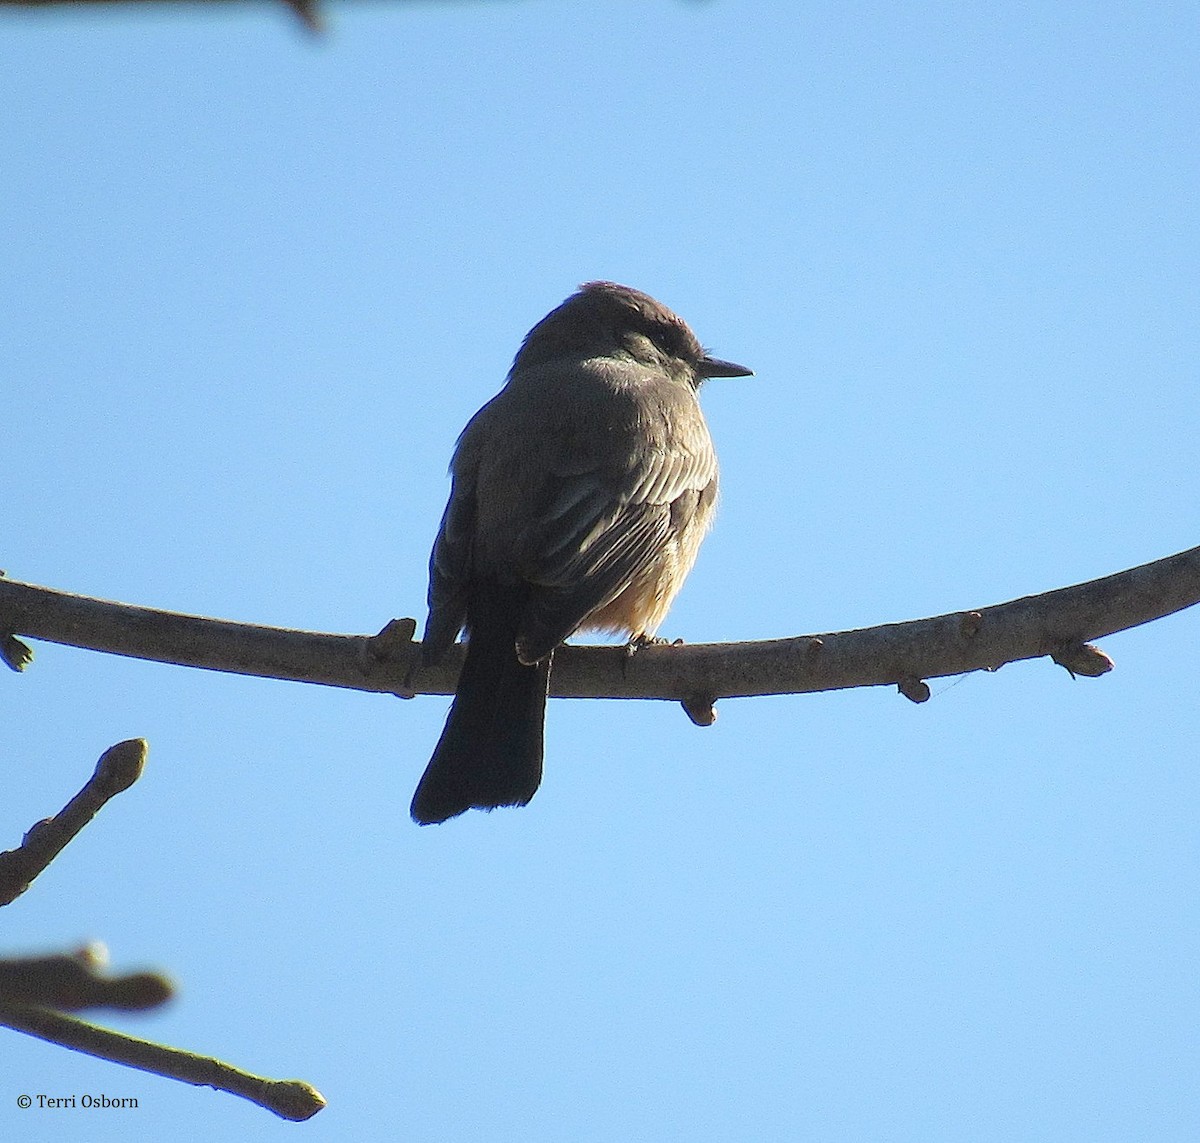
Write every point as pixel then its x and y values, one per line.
pixel 256 284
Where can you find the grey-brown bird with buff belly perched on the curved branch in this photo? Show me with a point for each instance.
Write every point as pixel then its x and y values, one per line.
pixel 580 496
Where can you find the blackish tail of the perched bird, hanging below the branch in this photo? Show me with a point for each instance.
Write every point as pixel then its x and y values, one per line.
pixel 490 752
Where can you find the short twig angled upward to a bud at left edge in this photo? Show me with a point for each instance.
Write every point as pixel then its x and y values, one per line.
pixel 118 769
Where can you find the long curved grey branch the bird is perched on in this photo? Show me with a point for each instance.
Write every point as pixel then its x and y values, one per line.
pixel 1058 624
